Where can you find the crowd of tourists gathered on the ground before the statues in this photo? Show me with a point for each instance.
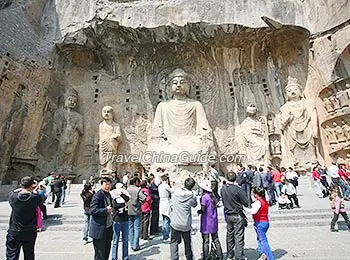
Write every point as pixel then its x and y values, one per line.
pixel 130 209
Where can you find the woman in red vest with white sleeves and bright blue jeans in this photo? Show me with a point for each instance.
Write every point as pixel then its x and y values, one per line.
pixel 260 211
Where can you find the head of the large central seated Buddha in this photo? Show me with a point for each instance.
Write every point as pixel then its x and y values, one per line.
pixel 180 83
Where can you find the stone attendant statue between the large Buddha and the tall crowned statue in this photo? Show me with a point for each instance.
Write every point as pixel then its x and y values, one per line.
pixel 252 137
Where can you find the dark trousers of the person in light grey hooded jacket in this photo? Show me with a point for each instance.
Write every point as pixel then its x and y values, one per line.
pixel 176 238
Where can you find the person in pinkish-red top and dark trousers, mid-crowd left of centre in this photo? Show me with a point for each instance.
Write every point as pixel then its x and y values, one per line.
pixel 146 210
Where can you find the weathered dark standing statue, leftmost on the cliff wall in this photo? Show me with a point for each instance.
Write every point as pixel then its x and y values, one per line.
pixel 68 126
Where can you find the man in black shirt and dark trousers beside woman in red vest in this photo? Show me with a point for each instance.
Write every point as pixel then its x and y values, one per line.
pixel 234 198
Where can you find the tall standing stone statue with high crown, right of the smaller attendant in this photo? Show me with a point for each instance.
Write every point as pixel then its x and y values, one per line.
pixel 299 127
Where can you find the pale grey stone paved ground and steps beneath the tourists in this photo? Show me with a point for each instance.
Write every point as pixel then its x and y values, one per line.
pixel 290 242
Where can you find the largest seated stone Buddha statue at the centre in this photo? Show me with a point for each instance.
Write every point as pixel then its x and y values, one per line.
pixel 180 124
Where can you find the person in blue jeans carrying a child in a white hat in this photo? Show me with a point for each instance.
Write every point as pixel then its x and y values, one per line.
pixel 120 198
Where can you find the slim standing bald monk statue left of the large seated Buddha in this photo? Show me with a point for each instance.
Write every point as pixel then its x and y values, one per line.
pixel 109 140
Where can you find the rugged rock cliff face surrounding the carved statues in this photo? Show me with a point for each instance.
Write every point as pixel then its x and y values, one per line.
pixel 119 53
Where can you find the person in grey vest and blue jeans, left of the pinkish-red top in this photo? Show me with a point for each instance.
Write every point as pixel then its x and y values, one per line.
pixel 136 199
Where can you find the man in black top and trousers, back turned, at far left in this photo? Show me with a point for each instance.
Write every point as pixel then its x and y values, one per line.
pixel 22 230
